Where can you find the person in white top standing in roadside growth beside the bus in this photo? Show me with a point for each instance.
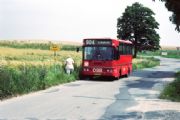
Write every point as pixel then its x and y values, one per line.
pixel 69 65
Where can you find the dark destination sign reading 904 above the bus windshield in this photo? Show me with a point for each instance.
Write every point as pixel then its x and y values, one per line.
pixel 97 42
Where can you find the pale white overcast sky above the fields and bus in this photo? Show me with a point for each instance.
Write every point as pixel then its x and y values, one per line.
pixel 73 20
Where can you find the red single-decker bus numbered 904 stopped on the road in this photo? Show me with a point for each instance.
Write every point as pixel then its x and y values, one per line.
pixel 106 57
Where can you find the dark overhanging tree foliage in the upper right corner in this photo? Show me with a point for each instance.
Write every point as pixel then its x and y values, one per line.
pixel 174 7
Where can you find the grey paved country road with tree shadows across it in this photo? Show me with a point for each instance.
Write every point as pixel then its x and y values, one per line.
pixel 130 98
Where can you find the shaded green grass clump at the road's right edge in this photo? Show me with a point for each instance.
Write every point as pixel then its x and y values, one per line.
pixel 172 90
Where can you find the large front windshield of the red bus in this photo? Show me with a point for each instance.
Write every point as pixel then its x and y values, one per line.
pixel 98 53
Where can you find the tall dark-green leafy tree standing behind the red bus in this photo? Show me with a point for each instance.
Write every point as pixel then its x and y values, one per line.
pixel 138 25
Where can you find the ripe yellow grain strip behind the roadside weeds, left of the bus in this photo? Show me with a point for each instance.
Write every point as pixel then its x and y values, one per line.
pixel 35 56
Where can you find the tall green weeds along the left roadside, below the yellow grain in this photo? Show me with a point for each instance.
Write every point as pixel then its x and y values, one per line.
pixel 24 79
